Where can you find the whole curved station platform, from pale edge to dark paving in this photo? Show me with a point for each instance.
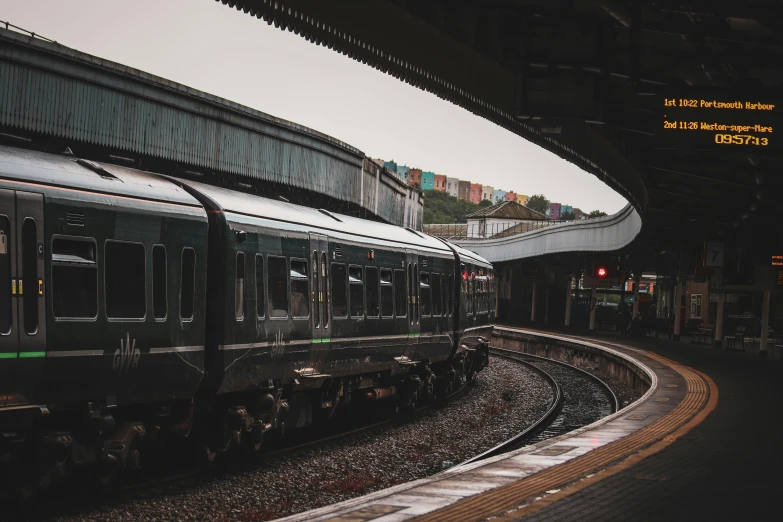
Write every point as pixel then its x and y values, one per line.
pixel 704 443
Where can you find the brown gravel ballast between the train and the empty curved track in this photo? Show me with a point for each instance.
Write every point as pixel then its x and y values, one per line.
pixel 506 398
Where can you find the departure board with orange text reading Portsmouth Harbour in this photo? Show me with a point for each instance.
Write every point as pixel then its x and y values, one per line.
pixel 720 119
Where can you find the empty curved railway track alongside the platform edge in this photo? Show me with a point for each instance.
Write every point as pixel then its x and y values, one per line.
pixel 565 413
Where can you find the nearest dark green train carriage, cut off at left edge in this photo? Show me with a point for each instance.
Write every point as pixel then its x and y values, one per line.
pixel 103 290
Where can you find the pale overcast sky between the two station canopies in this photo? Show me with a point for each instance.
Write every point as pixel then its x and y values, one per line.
pixel 214 48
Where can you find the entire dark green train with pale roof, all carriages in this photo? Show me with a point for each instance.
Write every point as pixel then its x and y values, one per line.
pixel 136 308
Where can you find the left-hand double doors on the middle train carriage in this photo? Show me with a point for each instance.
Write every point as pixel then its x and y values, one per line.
pixel 320 301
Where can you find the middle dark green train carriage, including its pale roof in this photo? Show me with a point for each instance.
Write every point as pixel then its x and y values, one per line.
pixel 325 301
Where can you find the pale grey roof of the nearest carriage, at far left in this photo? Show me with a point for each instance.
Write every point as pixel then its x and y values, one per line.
pixel 52 170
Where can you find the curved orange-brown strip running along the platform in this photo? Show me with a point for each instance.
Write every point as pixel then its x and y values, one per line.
pixel 506 502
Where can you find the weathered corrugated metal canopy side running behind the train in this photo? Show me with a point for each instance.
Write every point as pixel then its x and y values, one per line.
pixel 53 90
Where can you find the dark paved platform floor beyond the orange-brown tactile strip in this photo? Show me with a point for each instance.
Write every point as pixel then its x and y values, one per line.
pixel 728 467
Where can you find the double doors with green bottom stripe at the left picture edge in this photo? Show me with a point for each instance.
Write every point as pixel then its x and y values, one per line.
pixel 22 312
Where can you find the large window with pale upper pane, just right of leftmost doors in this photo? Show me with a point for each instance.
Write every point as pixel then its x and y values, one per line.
pixel 74 278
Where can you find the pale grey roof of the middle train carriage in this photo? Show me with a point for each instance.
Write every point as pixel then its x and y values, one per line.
pixel 322 220
